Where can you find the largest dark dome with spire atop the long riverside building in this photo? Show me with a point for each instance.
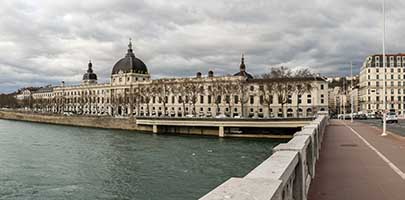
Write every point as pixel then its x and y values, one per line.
pixel 130 63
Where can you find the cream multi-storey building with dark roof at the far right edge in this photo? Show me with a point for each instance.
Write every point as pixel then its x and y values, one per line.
pixel 372 80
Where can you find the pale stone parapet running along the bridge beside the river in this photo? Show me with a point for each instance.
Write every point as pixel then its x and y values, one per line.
pixel 285 175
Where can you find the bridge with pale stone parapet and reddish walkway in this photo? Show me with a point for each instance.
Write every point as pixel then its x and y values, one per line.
pixel 355 162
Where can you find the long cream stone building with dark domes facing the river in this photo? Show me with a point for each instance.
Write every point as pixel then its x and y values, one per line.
pixel 132 92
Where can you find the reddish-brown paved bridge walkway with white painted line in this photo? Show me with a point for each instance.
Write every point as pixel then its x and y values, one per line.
pixel 357 163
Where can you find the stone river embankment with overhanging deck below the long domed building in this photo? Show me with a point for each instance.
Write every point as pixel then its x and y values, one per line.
pixel 250 128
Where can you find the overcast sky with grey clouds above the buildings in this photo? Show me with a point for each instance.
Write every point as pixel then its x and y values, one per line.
pixel 44 42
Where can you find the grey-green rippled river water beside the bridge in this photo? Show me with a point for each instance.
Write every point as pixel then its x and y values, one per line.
pixel 41 161
